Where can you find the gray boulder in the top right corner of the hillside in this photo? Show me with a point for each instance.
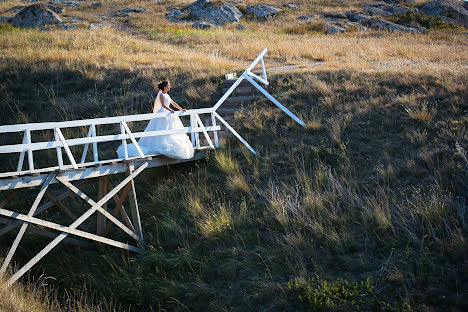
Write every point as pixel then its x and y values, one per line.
pixel 447 10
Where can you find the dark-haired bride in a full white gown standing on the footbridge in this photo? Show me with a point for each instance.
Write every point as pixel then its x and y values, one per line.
pixel 171 145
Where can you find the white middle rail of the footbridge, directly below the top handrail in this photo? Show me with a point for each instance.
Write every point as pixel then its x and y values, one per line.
pixel 17 148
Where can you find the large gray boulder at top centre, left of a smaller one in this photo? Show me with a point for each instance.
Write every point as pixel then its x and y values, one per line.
pixel 215 12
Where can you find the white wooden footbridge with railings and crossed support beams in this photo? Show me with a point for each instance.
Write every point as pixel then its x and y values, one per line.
pixel 94 165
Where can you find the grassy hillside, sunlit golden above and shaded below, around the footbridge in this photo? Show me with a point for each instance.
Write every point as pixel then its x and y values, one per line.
pixel 364 209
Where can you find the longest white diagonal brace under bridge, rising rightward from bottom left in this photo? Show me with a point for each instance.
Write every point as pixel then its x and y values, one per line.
pixel 73 226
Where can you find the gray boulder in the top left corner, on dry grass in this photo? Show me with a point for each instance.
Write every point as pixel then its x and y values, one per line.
pixel 35 15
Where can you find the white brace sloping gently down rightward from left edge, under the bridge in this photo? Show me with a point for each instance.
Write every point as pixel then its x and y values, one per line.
pixel 68 230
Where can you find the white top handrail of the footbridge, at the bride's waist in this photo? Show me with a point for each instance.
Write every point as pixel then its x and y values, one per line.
pixel 97 121
